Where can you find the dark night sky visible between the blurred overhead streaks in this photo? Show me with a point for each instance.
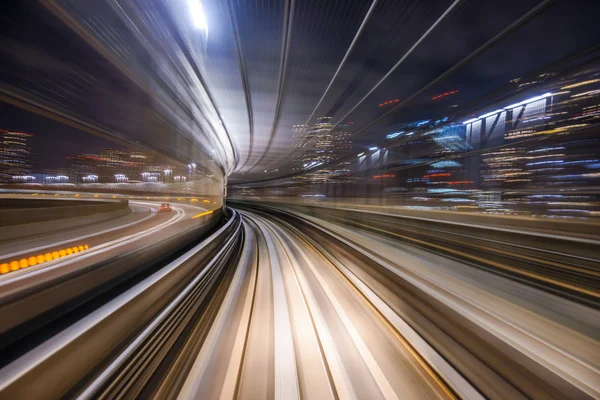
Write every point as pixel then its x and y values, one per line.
pixel 40 52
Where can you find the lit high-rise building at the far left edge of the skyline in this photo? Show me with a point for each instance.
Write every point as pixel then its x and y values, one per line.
pixel 14 155
